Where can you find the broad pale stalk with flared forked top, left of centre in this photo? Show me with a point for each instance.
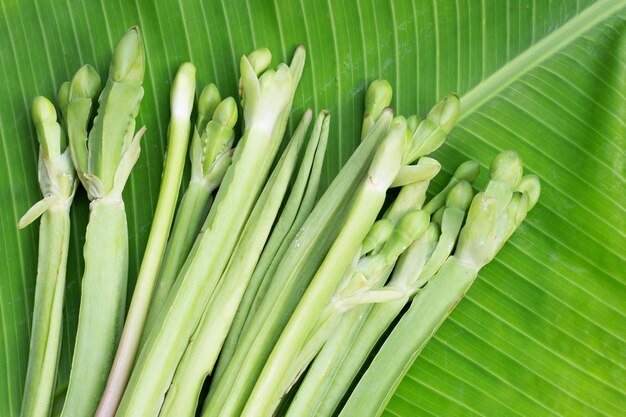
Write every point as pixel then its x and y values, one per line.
pixel 267 105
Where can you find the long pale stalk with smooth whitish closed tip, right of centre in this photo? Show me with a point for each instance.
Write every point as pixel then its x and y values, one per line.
pixel 368 201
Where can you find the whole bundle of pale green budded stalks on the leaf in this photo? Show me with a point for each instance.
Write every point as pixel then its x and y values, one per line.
pixel 263 291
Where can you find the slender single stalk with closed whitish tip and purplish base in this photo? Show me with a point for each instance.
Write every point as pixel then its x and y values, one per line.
pixel 181 105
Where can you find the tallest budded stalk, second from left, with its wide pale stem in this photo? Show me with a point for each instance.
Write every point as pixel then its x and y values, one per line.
pixel 112 152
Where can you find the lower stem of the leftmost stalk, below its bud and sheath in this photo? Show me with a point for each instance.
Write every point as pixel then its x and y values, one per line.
pixel 45 342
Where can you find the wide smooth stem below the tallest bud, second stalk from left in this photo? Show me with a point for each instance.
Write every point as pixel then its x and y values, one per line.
pixel 102 305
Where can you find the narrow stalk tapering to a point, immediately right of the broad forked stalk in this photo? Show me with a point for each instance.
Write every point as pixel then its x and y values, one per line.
pixel 205 345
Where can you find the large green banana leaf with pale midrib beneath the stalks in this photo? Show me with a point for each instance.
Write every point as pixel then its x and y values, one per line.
pixel 543 330
